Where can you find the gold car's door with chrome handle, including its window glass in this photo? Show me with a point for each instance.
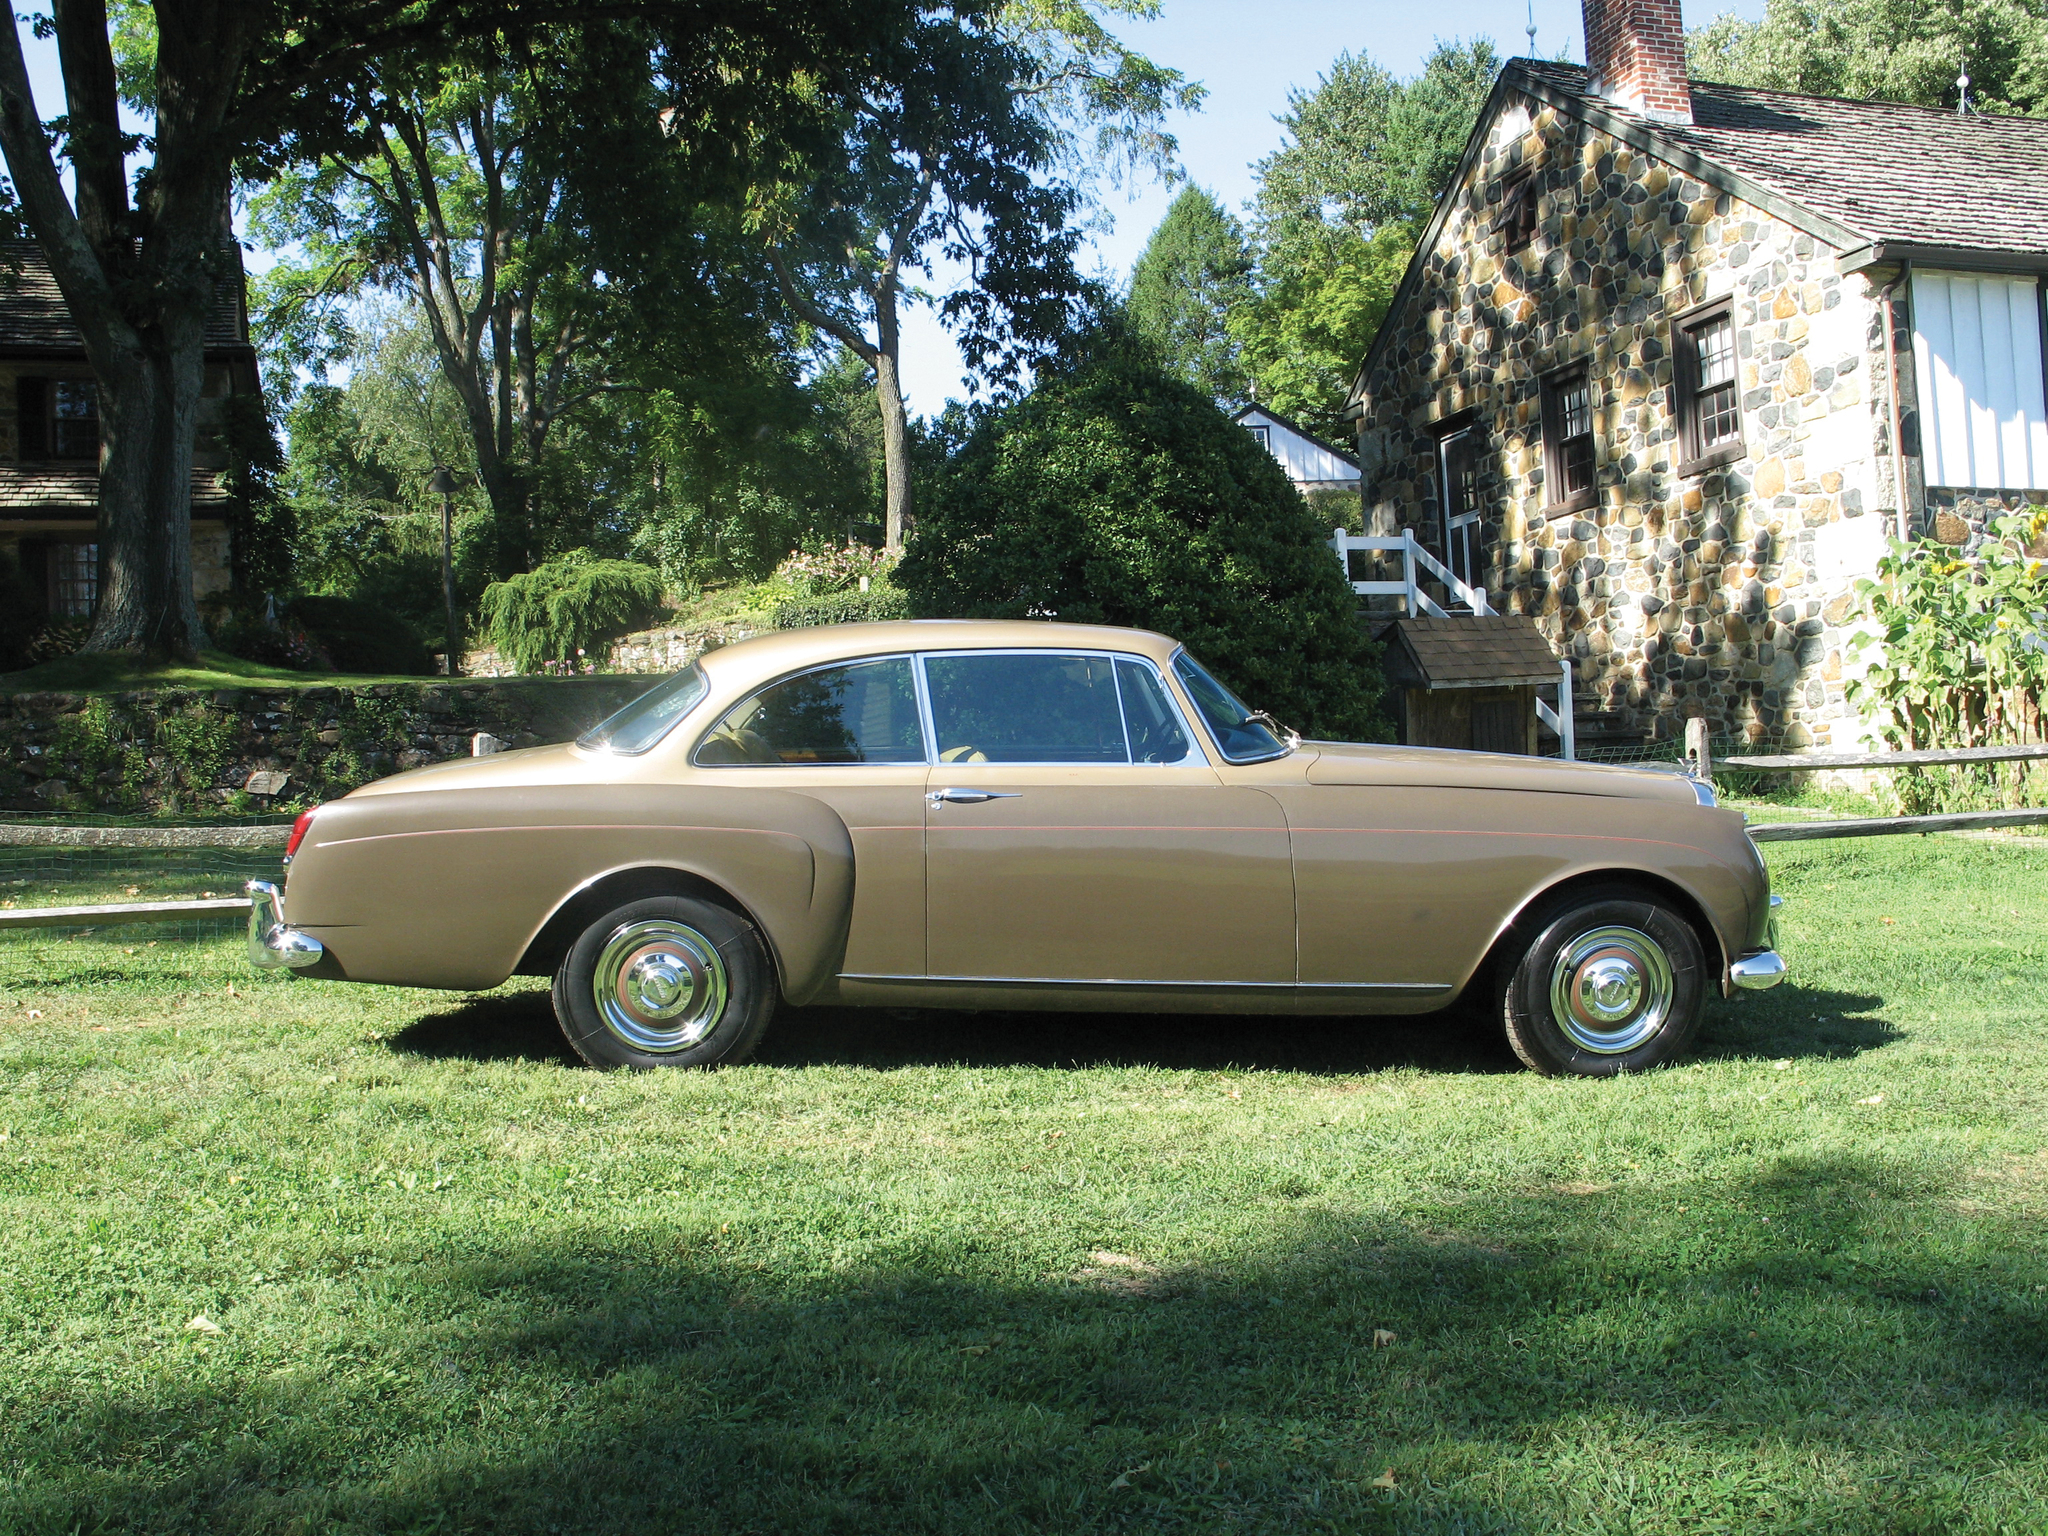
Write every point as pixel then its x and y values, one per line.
pixel 1076 833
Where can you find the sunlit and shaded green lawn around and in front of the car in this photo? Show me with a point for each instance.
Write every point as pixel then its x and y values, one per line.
pixel 1017 1275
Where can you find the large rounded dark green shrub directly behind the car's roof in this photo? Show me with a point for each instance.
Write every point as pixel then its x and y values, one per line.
pixel 1117 495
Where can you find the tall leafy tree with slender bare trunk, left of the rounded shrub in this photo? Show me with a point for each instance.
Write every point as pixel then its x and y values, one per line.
pixel 972 153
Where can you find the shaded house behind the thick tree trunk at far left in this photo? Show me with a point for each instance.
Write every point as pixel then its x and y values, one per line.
pixel 50 435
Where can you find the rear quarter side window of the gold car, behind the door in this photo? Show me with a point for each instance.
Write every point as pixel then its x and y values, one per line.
pixel 865 712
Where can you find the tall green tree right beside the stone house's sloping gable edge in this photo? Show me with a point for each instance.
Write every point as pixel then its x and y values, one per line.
pixel 1336 218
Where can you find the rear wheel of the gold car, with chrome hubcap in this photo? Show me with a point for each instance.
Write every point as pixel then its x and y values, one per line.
pixel 667 982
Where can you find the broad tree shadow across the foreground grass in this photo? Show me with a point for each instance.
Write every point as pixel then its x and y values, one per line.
pixel 1836 1330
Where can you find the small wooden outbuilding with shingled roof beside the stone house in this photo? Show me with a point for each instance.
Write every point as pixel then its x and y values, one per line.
pixel 1467 681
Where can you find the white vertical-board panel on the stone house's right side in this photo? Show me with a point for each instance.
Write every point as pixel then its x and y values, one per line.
pixel 1977 349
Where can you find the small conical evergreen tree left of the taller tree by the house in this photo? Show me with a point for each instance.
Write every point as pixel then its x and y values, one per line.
pixel 1195 271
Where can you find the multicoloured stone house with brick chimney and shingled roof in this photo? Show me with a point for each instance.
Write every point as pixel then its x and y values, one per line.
pixel 1672 359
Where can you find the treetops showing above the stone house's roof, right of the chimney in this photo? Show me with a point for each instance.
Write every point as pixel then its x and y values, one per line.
pixel 1885 50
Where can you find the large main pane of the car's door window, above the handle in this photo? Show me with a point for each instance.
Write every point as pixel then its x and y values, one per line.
pixel 1025 708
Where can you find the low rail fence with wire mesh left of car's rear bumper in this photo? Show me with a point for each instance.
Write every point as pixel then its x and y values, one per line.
pixel 58 869
